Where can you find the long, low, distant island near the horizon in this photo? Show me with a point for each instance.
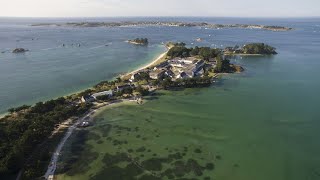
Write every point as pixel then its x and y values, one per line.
pixel 169 24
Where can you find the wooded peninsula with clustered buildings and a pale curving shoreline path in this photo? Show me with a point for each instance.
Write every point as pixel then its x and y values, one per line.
pixel 33 136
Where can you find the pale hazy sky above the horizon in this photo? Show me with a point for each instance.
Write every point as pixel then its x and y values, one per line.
pixel 116 8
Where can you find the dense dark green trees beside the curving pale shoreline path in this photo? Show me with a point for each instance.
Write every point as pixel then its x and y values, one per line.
pixel 25 129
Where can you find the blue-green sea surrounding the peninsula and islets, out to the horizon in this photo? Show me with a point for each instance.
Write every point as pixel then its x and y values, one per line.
pixel 261 124
